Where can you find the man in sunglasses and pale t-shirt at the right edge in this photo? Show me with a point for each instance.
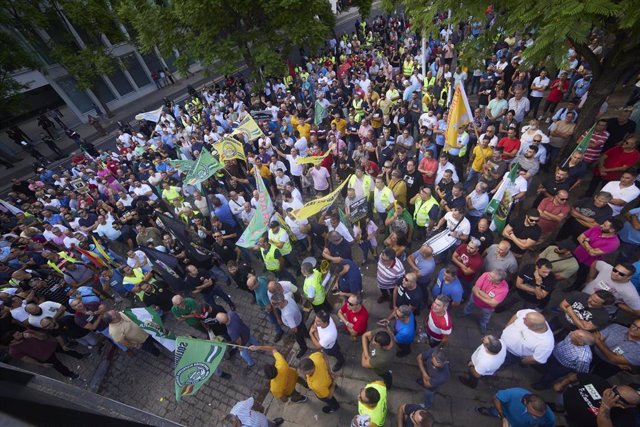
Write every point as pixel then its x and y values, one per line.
pixel 615 280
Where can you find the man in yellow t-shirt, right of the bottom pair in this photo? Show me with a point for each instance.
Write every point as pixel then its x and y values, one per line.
pixel 315 369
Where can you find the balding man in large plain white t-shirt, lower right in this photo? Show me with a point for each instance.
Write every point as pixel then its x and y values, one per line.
pixel 528 339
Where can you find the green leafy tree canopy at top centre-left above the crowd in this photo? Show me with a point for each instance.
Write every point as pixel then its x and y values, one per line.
pixel 262 33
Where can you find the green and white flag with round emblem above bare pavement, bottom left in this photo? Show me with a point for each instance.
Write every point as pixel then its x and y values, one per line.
pixel 196 362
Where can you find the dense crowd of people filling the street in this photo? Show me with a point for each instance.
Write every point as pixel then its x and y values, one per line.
pixel 124 225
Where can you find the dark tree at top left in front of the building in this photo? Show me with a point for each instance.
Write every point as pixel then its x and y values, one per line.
pixel 87 60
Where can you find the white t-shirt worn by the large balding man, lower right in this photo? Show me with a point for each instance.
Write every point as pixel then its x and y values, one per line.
pixel 523 342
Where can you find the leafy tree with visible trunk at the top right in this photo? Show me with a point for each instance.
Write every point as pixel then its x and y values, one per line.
pixel 555 27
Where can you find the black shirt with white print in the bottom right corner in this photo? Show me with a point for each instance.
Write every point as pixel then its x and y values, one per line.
pixel 583 400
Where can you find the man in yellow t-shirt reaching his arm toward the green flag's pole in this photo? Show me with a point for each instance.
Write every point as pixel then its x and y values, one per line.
pixel 282 377
